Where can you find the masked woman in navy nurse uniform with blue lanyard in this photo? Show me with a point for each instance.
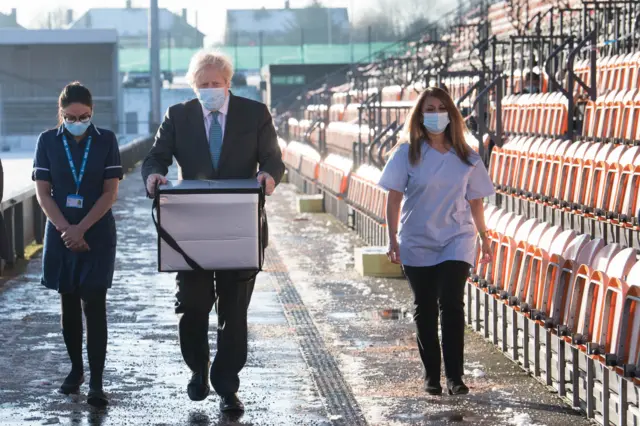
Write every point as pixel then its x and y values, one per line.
pixel 77 171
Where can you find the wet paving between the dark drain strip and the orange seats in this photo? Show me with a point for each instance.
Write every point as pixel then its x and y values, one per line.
pixel 366 323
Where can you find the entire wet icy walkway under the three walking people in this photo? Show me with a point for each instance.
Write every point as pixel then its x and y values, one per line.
pixel 326 345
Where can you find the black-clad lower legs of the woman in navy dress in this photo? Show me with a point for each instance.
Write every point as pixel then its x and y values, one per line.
pixel 95 312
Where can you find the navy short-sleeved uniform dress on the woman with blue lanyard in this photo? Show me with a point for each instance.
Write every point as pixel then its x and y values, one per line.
pixel 62 269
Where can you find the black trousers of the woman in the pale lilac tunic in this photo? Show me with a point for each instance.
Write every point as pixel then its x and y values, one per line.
pixel 437 290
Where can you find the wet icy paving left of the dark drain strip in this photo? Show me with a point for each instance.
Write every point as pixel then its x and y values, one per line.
pixel 145 376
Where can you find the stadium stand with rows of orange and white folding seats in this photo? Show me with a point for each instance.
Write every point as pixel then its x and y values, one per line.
pixel 551 93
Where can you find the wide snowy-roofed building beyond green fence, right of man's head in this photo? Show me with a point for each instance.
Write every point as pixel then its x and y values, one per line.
pixel 311 25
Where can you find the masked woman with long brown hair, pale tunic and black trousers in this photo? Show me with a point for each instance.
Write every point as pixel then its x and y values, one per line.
pixel 440 183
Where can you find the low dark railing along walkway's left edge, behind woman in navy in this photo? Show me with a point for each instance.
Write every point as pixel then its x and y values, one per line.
pixel 24 219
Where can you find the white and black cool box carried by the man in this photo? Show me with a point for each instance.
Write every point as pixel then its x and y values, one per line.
pixel 210 225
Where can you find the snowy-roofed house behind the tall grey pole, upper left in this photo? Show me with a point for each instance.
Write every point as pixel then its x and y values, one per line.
pixel 132 25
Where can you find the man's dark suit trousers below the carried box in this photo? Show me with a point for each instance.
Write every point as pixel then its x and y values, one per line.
pixel 231 292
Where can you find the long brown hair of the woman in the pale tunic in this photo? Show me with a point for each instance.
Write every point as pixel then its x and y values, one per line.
pixel 414 132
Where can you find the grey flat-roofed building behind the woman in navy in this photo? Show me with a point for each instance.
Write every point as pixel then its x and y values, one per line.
pixel 35 65
